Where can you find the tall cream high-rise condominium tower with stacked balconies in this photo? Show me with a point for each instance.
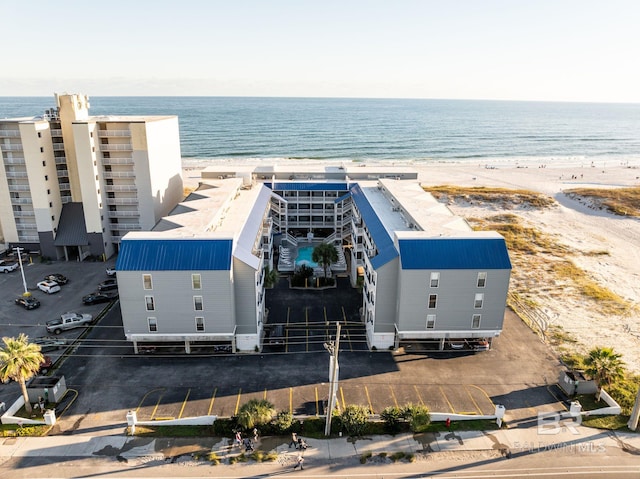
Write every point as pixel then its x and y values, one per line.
pixel 72 185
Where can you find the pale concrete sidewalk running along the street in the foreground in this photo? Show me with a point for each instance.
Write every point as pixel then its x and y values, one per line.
pixel 137 450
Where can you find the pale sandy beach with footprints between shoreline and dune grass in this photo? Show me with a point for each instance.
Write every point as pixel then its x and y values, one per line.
pixel 580 226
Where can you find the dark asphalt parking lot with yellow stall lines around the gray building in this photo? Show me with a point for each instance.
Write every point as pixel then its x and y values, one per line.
pixel 111 380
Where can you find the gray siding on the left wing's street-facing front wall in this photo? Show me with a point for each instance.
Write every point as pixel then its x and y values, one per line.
pixel 174 304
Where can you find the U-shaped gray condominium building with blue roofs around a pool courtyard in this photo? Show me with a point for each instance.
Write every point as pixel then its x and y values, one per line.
pixel 199 276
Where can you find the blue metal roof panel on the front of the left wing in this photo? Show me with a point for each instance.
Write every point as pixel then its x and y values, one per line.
pixel 178 254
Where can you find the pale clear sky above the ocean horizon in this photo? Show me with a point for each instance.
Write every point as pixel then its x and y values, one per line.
pixel 558 50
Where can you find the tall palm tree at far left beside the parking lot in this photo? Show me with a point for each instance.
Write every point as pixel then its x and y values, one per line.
pixel 20 361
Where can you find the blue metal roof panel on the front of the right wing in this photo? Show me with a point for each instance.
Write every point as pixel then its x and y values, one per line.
pixel 454 253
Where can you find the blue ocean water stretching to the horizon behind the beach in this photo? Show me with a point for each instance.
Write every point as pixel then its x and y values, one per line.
pixel 395 130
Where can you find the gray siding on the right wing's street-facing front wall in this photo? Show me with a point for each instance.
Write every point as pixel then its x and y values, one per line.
pixel 455 300
